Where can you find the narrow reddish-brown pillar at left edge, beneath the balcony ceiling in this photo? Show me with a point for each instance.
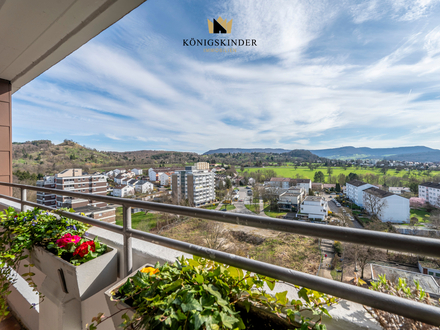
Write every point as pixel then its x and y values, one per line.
pixel 5 136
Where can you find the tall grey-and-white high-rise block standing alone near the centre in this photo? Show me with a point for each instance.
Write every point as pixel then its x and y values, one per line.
pixel 195 186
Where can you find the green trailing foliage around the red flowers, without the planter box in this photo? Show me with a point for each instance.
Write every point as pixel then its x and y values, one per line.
pixel 20 233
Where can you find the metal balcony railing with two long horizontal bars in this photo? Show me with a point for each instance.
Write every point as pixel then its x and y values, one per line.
pixel 397 242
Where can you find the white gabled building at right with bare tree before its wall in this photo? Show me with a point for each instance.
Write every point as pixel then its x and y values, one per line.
pixel 387 206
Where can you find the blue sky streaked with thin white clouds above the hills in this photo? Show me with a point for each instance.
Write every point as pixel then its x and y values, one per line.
pixel 324 74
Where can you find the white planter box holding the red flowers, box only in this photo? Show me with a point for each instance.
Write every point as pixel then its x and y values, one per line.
pixel 81 281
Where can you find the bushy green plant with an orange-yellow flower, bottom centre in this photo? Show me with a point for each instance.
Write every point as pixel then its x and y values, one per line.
pixel 202 294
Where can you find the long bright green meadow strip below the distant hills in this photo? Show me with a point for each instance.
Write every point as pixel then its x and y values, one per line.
pixel 305 173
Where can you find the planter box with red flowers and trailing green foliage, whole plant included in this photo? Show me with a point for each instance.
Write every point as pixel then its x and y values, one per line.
pixel 57 246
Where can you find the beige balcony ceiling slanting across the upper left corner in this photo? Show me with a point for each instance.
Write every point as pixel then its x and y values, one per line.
pixel 37 34
